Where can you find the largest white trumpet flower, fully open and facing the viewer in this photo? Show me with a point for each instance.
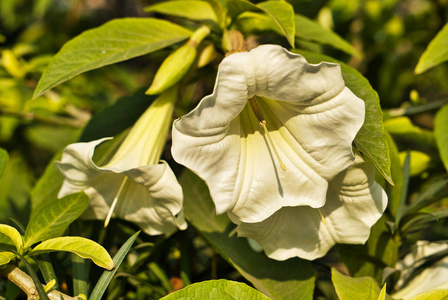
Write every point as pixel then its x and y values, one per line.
pixel 274 132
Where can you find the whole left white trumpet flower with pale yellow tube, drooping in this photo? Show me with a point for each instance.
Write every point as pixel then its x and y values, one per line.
pixel 133 185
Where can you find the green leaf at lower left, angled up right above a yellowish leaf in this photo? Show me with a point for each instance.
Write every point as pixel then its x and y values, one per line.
pixel 53 219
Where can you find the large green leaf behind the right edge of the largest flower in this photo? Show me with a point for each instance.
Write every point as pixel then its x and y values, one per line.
pixel 371 139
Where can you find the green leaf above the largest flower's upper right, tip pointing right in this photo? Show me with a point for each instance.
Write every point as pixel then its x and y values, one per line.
pixel 309 30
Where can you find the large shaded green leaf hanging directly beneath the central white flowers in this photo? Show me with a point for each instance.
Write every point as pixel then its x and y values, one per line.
pixel 267 275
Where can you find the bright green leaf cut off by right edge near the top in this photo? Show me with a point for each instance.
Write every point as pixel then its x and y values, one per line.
pixel 436 53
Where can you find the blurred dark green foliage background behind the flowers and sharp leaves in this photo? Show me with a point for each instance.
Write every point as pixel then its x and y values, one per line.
pixel 390 36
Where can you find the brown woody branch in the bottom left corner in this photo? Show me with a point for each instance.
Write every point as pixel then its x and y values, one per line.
pixel 26 284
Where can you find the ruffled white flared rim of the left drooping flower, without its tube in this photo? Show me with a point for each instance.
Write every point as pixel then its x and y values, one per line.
pixel 150 196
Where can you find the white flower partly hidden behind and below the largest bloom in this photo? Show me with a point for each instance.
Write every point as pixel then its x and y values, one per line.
pixel 355 202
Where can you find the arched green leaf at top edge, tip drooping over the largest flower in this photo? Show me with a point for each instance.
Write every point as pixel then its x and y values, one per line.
pixel 280 11
